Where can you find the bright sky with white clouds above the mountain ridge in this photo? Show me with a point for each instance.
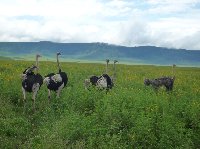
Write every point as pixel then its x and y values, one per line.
pixel 163 23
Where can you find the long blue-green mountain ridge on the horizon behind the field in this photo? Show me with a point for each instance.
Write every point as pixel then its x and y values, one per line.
pixel 101 51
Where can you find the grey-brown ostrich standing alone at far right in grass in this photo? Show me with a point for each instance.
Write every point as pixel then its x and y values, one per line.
pixel 167 82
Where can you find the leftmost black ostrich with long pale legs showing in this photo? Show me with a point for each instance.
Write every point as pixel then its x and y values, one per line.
pixel 31 82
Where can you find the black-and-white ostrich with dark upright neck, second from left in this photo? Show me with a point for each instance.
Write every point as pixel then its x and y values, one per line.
pixel 56 82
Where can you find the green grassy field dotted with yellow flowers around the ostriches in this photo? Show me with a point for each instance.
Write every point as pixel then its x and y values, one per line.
pixel 129 116
